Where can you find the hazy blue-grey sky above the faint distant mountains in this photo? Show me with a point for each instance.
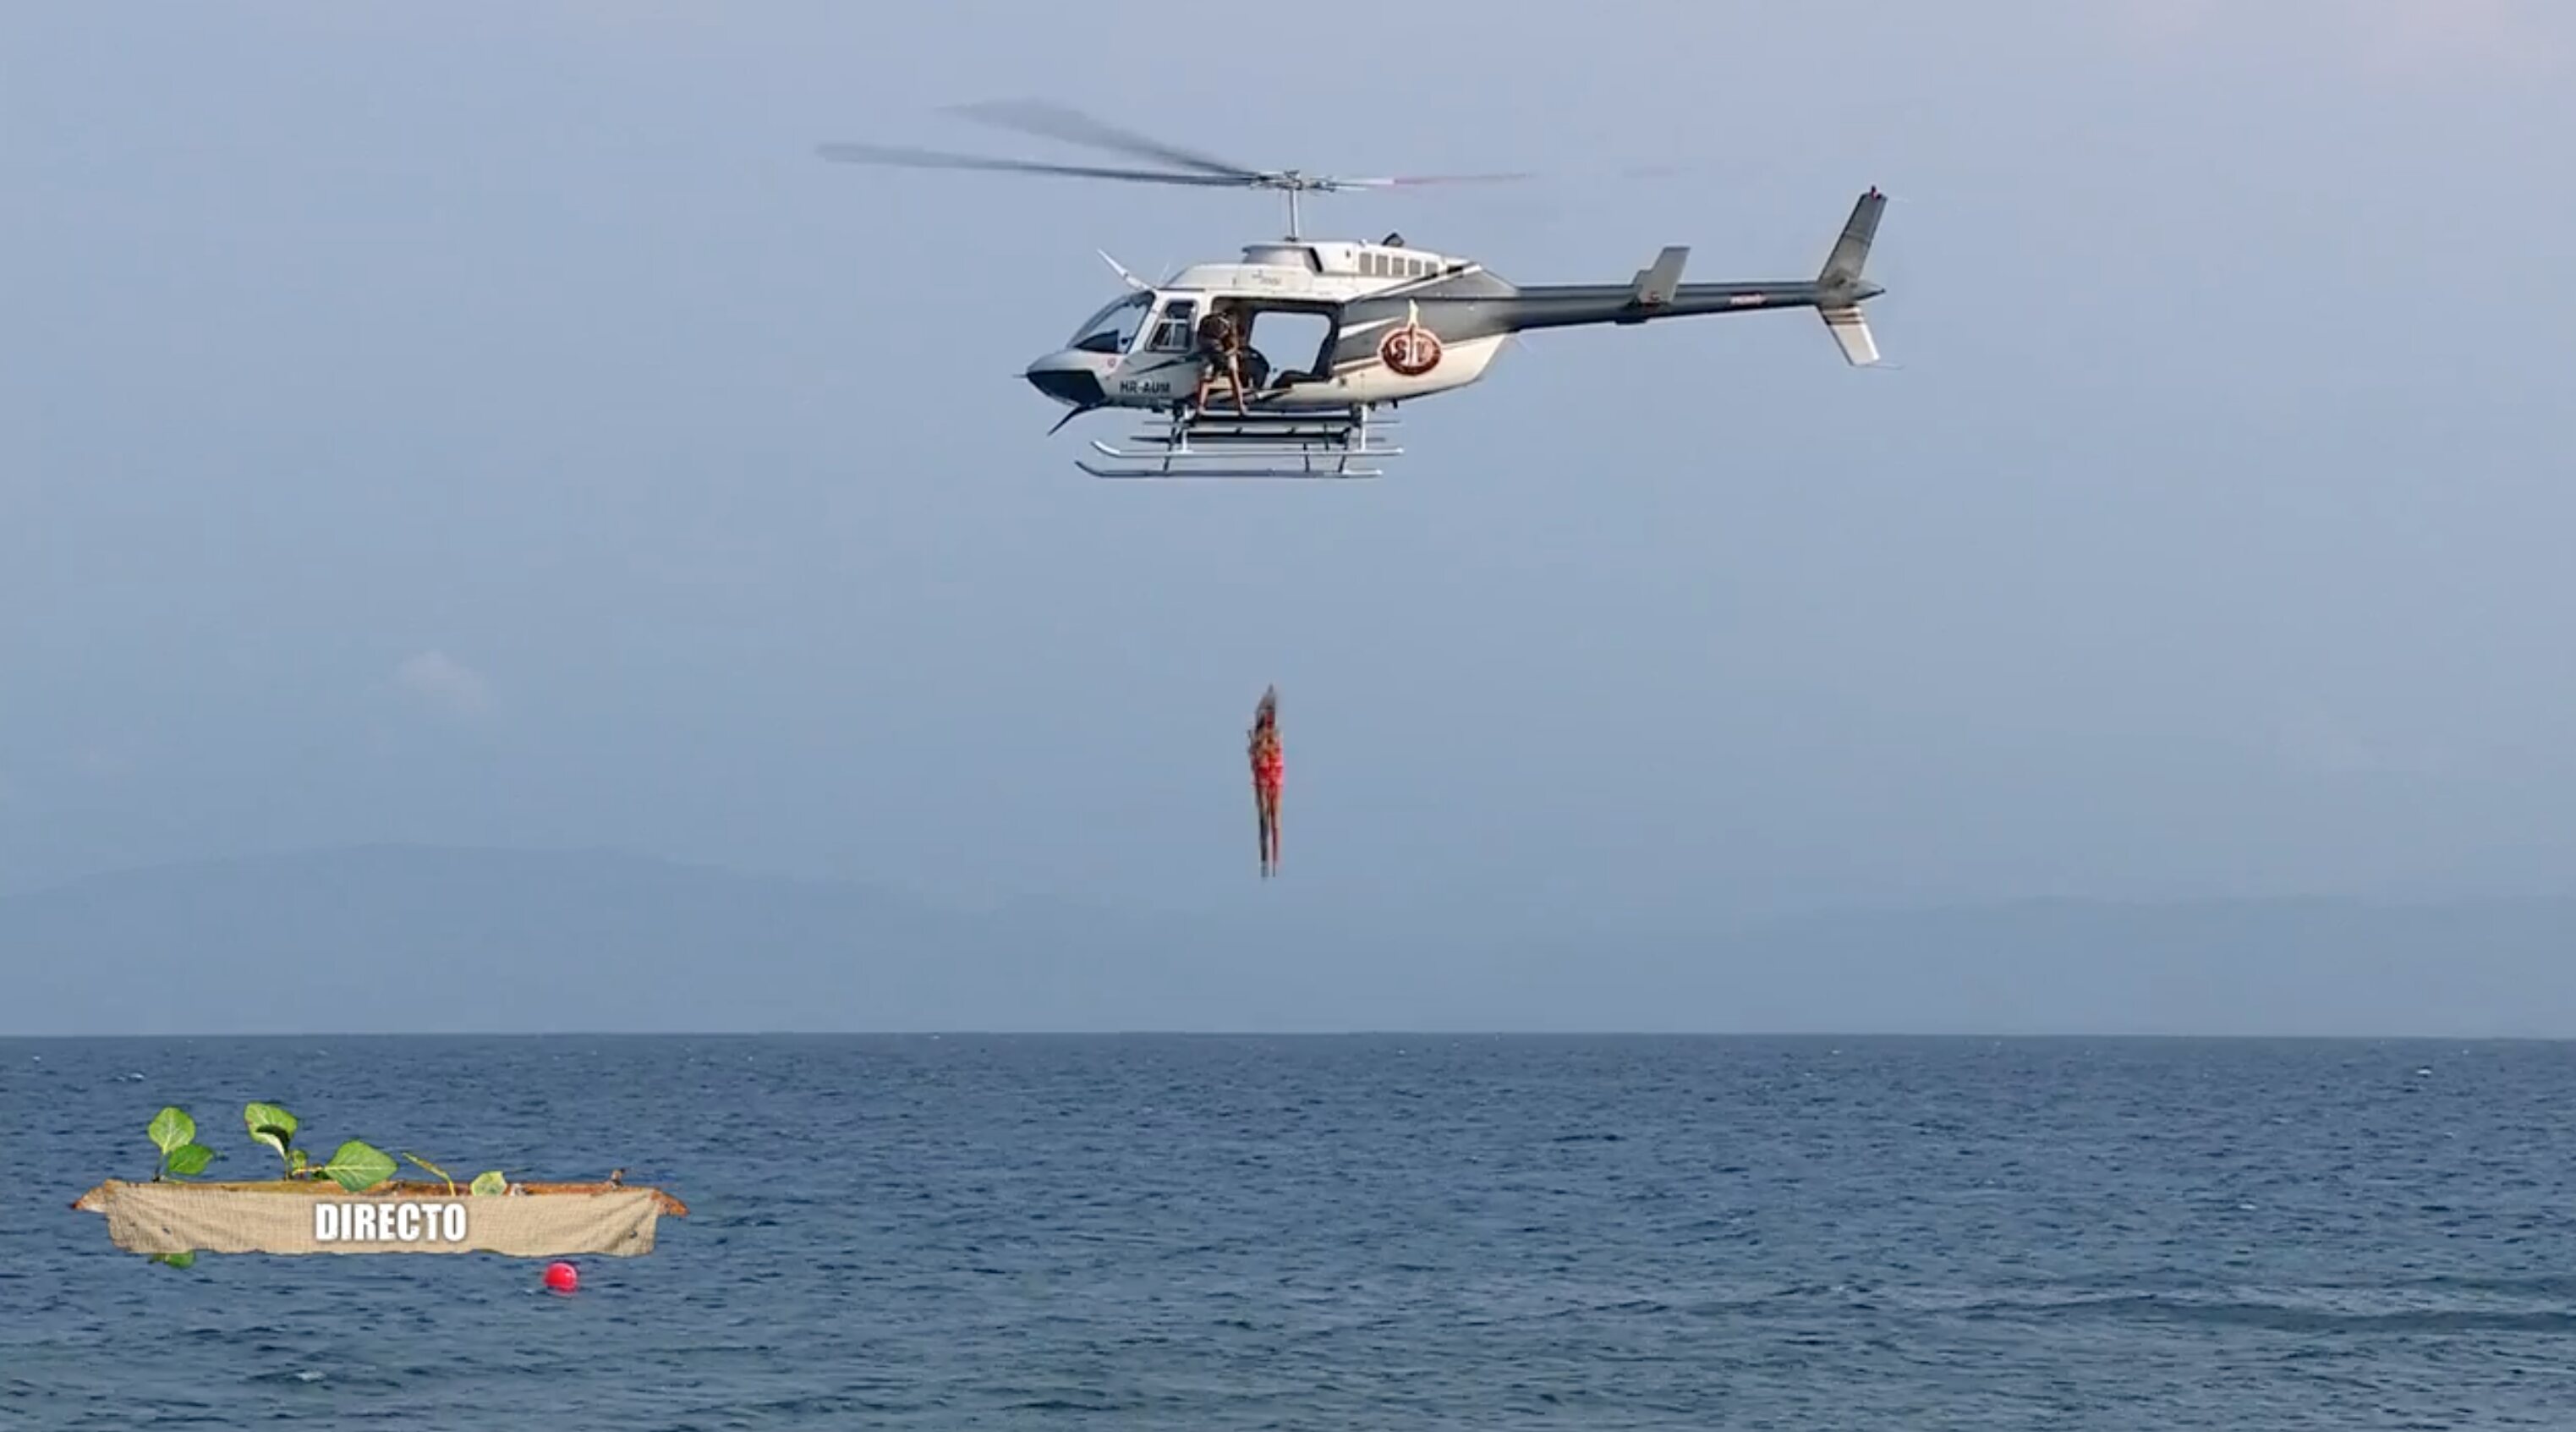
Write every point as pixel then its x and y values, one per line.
pixel 491 424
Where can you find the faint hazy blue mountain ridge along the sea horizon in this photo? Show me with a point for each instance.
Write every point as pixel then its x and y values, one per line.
pixel 511 941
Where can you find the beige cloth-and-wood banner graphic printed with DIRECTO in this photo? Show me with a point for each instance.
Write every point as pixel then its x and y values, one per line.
pixel 316 1217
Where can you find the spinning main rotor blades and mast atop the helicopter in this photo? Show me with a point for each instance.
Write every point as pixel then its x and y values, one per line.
pixel 1179 166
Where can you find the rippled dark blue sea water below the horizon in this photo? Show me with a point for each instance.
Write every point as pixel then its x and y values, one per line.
pixel 1349 1235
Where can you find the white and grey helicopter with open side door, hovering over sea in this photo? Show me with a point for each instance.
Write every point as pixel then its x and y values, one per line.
pixel 1397 321
